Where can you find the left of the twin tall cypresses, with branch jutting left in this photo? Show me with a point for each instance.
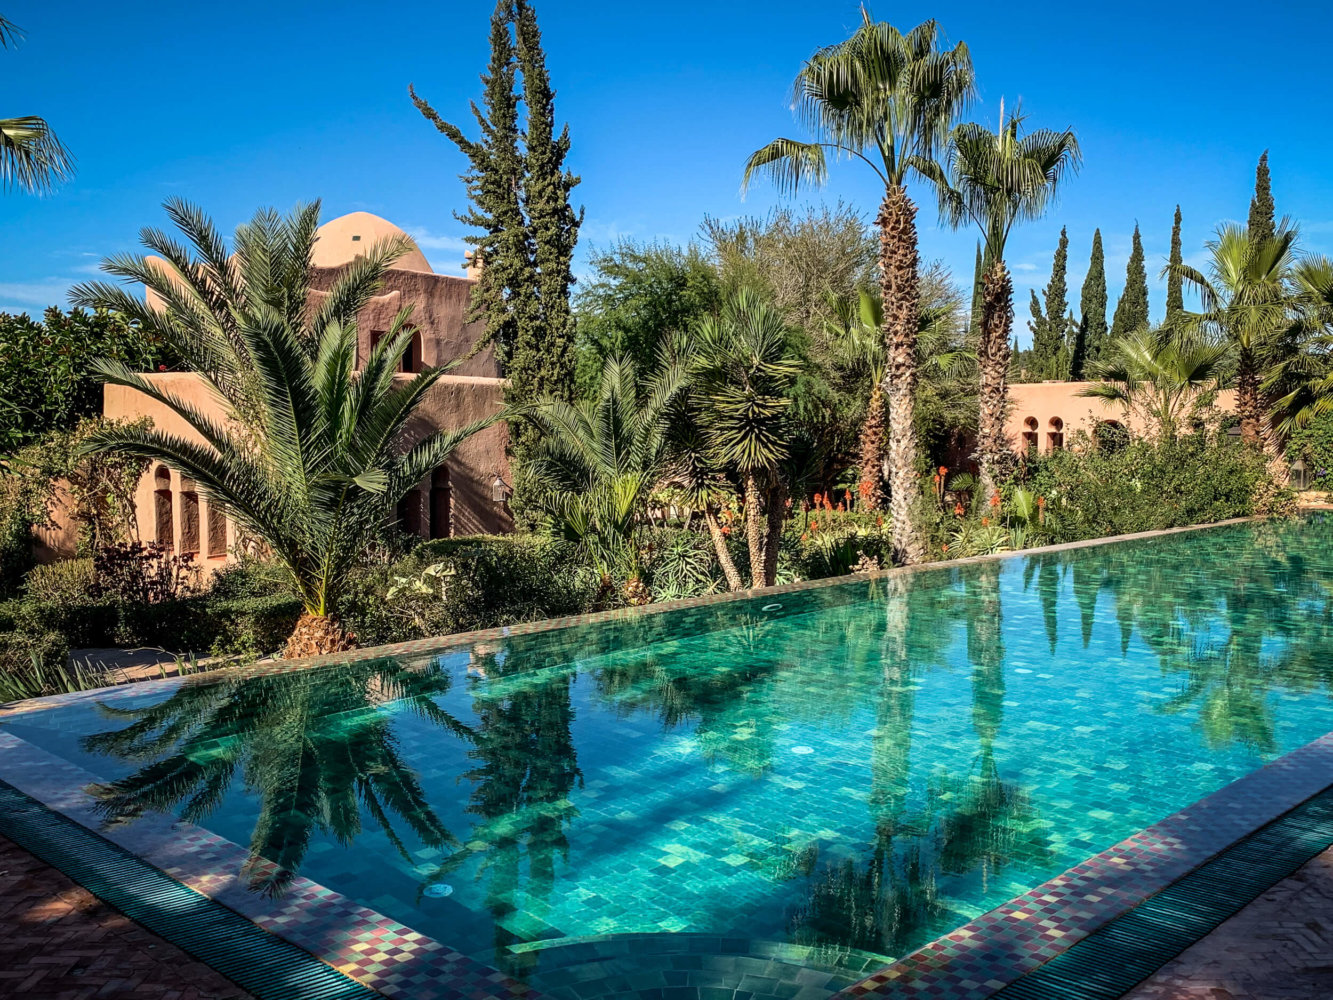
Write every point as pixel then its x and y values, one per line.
pixel 494 183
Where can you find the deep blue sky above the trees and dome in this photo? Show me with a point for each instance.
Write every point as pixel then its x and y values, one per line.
pixel 250 105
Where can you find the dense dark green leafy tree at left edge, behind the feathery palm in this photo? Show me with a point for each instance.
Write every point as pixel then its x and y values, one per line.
pixel 46 369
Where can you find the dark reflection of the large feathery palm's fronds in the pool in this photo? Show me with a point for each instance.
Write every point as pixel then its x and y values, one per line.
pixel 314 746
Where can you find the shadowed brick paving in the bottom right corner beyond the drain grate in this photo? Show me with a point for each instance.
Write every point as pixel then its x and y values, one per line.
pixel 1278 949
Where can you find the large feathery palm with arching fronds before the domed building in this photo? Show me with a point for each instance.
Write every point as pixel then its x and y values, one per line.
pixel 309 457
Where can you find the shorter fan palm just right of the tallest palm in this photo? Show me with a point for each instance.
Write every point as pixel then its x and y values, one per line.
pixel 994 181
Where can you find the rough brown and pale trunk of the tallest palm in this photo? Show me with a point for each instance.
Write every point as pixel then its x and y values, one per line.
pixel 899 282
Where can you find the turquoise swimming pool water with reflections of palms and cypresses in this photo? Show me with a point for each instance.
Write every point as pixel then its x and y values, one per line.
pixel 854 774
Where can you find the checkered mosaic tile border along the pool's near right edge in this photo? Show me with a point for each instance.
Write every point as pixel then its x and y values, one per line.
pixel 998 949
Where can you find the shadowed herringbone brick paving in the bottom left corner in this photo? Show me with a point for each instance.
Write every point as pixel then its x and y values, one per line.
pixel 58 942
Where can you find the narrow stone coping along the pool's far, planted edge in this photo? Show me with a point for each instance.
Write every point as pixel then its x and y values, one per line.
pixel 439 645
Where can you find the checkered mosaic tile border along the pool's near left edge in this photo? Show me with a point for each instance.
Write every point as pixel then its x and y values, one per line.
pixel 358 942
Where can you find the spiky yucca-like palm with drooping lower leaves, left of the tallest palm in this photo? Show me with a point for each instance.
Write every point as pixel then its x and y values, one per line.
pixel 740 374
